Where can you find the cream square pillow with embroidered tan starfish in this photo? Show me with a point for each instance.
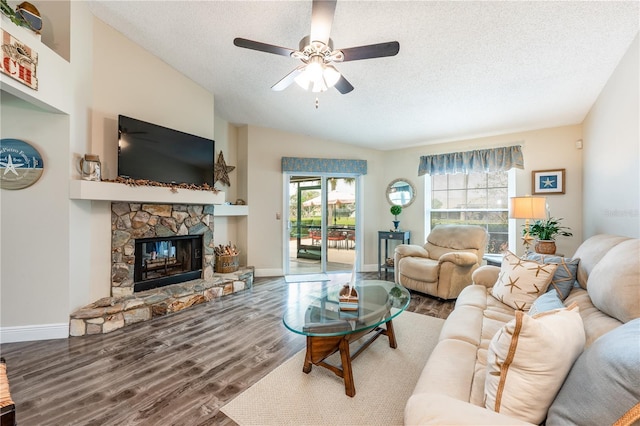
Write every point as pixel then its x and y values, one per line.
pixel 521 281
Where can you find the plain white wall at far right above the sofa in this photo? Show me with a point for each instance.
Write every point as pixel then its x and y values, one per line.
pixel 612 154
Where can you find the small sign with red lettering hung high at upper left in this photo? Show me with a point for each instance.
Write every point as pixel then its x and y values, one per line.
pixel 19 61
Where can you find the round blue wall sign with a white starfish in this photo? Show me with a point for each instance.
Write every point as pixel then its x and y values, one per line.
pixel 21 164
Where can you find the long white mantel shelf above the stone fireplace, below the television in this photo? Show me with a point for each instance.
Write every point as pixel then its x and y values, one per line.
pixel 111 191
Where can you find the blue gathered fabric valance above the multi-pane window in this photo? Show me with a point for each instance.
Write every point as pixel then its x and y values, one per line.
pixel 482 160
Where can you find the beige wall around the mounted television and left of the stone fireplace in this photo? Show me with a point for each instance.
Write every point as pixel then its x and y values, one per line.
pixel 130 81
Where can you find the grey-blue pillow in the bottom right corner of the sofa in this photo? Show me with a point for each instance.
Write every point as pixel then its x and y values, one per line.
pixel 602 387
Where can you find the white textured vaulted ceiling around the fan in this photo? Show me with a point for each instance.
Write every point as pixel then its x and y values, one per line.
pixel 465 69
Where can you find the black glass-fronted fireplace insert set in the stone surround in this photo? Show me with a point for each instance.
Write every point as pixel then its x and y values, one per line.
pixel 166 260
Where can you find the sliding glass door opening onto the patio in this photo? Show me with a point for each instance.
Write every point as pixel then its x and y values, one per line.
pixel 322 223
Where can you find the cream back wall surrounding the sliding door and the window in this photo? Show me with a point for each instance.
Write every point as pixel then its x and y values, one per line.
pixel 542 149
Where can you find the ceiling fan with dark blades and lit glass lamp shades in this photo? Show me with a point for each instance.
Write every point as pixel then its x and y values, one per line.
pixel 316 52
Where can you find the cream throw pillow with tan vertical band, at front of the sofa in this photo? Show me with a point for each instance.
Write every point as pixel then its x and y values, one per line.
pixel 528 360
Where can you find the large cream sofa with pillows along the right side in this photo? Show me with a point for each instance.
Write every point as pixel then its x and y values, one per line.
pixel 603 384
